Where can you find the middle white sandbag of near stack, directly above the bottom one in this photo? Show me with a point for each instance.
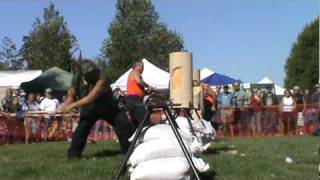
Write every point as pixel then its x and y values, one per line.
pixel 156 149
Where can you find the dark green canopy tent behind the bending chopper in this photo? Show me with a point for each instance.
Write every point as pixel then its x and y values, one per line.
pixel 54 78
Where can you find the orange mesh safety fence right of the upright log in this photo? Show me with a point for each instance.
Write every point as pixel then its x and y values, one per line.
pixel 266 120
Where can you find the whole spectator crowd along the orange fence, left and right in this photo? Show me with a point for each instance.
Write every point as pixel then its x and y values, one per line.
pixel 238 112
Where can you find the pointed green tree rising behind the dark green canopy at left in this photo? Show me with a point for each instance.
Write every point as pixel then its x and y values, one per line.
pixel 49 43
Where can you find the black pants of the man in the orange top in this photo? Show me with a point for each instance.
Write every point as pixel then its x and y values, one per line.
pixel 137 109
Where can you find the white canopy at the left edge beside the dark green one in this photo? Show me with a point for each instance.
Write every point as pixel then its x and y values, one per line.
pixel 15 78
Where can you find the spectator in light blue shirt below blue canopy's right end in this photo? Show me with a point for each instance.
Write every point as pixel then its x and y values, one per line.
pixel 241 100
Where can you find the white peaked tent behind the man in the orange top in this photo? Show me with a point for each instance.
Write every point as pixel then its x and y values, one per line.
pixel 152 75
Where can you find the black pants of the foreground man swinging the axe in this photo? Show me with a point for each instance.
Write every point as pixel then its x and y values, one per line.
pixel 114 117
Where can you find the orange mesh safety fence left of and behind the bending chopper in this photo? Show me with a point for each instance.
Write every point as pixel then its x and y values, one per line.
pixel 41 127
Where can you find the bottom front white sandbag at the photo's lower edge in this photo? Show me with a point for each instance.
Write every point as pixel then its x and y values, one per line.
pixel 162 169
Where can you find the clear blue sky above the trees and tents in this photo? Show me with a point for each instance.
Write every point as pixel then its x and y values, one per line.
pixel 244 39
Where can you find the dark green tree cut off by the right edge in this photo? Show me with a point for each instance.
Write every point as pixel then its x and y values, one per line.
pixel 302 66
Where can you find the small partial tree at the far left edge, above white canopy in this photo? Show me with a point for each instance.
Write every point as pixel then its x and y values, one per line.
pixel 10 58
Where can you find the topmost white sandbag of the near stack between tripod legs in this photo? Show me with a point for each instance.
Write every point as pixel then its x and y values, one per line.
pixel 164 131
